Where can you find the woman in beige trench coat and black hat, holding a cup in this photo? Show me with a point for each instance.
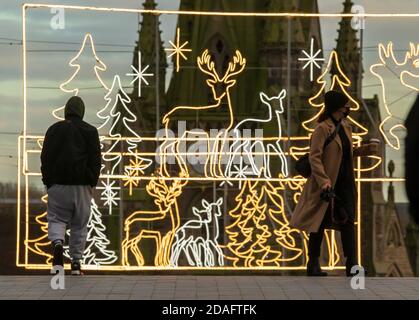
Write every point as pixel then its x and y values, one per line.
pixel 332 177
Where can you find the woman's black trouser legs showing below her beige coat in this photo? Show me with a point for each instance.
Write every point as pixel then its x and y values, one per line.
pixel 347 237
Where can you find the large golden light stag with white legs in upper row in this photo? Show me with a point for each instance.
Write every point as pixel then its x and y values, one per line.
pixel 222 103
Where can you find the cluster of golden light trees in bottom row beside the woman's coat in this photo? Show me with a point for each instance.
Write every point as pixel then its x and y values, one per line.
pixel 252 243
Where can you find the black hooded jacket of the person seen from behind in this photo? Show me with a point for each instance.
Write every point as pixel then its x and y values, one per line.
pixel 71 150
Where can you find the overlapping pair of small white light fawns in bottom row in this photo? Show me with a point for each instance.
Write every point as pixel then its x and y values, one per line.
pixel 197 239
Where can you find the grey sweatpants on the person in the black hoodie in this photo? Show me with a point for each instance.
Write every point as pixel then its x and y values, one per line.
pixel 69 206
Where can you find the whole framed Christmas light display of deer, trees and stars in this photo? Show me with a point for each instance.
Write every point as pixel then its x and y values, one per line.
pixel 256 233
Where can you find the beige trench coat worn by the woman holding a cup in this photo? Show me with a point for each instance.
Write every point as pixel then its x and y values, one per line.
pixel 310 210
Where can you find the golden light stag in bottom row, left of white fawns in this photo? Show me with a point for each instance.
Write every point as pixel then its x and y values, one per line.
pixel 147 224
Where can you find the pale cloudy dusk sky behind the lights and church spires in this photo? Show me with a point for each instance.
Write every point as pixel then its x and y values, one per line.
pixel 115 35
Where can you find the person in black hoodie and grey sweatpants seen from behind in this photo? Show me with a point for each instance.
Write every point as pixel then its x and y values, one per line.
pixel 70 166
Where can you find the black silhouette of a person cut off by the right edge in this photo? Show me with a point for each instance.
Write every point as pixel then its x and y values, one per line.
pixel 411 160
